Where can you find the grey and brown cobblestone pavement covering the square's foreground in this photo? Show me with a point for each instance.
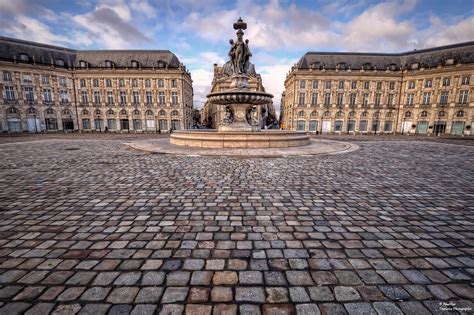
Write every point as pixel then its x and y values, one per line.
pixel 90 228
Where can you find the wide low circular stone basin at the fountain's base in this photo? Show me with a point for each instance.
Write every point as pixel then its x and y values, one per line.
pixel 239 139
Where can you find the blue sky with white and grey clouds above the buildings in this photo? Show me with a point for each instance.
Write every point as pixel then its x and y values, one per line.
pixel 280 32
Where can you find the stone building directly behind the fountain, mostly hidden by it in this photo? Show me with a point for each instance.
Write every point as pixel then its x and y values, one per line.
pixel 211 114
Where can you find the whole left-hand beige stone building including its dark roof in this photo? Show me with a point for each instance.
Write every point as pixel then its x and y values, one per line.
pixel 49 88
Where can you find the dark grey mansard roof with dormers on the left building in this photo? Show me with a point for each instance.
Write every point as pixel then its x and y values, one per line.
pixel 12 49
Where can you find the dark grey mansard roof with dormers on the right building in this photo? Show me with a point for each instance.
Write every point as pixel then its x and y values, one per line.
pixel 432 57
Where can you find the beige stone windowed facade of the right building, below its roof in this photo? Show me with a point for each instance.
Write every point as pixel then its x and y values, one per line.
pixel 427 114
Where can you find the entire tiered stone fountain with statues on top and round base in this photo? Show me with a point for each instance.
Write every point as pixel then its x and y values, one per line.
pixel 241 125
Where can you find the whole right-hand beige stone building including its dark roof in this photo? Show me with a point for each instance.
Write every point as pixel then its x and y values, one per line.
pixel 419 92
